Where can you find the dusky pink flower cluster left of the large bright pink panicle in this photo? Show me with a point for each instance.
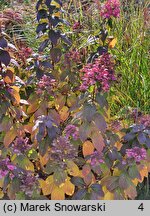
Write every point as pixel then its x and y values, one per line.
pixel 46 84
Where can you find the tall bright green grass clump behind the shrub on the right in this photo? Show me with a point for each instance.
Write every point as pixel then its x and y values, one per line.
pixel 132 54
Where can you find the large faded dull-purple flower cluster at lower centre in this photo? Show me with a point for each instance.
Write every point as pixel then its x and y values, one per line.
pixel 62 149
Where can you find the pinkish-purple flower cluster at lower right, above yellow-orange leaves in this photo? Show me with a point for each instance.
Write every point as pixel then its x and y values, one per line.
pixel 136 153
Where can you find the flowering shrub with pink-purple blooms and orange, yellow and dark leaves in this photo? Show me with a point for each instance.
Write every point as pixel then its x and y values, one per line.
pixel 58 139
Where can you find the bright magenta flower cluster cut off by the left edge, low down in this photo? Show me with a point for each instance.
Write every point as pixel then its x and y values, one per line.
pixel 6 167
